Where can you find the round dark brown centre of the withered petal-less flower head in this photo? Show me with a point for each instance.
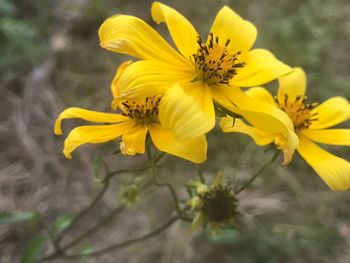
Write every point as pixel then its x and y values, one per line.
pixel 219 205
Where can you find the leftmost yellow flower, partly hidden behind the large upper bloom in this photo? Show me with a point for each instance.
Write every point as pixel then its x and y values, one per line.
pixel 138 117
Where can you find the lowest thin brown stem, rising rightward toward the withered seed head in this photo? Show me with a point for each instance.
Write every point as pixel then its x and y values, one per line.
pixel 126 243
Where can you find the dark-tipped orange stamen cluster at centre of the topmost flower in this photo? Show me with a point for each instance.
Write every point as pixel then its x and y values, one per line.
pixel 214 63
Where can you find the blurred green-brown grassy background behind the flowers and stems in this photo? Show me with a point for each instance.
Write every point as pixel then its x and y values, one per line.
pixel 50 59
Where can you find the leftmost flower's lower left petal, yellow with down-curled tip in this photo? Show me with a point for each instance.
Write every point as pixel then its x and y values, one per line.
pixel 93 134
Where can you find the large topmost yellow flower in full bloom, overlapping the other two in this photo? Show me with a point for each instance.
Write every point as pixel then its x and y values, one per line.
pixel 209 71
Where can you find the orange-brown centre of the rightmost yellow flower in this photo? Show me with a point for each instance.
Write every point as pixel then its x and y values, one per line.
pixel 299 111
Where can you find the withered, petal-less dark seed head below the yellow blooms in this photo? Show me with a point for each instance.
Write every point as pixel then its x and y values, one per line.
pixel 216 204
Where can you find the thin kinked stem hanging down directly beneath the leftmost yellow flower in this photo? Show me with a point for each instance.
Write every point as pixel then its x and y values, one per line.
pixel 171 189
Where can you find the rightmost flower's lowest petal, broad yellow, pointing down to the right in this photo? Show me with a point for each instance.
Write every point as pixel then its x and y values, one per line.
pixel 333 170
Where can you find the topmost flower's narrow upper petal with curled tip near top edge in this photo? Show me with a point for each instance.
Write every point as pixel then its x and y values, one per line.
pixel 181 30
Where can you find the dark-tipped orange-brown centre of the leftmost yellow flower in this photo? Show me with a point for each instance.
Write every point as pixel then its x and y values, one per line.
pixel 144 112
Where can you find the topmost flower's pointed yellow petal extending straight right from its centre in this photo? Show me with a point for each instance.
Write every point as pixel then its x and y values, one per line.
pixel 261 66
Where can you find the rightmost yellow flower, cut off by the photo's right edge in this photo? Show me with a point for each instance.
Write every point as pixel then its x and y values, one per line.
pixel 311 123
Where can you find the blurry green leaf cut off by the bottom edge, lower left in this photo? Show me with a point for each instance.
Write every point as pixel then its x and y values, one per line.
pixel 34 249
